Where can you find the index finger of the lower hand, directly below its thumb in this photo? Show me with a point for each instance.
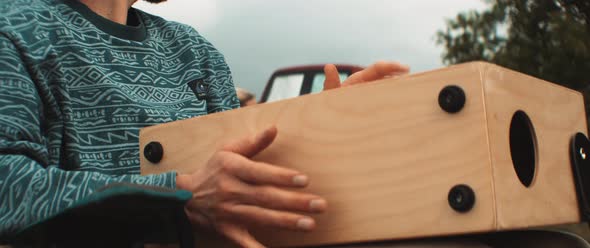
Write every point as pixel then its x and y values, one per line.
pixel 262 173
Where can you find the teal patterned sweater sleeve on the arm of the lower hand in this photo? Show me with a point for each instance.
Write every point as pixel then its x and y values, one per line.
pixel 33 189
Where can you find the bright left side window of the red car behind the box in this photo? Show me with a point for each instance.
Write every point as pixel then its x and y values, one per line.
pixel 286 86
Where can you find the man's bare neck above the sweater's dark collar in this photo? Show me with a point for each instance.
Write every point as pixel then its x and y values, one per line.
pixel 114 10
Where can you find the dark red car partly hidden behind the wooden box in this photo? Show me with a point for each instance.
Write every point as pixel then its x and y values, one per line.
pixel 296 81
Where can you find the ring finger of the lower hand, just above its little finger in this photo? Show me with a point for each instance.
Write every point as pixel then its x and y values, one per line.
pixel 254 215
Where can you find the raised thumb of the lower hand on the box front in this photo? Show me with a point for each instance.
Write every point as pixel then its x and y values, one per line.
pixel 249 147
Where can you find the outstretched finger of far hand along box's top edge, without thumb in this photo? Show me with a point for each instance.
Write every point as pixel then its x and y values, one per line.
pixel 377 71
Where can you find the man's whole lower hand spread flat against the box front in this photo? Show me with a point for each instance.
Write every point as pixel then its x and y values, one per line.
pixel 233 192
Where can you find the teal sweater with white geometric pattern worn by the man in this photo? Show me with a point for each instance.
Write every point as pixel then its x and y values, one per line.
pixel 75 89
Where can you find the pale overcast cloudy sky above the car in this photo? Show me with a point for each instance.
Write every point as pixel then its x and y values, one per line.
pixel 260 36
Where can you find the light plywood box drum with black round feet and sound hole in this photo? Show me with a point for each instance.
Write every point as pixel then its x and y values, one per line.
pixel 386 155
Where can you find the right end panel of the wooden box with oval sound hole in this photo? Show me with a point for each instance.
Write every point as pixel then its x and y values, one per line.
pixel 556 114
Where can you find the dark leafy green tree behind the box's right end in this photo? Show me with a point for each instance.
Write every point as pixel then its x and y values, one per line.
pixel 548 39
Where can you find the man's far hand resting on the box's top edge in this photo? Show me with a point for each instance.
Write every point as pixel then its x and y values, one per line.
pixel 379 70
